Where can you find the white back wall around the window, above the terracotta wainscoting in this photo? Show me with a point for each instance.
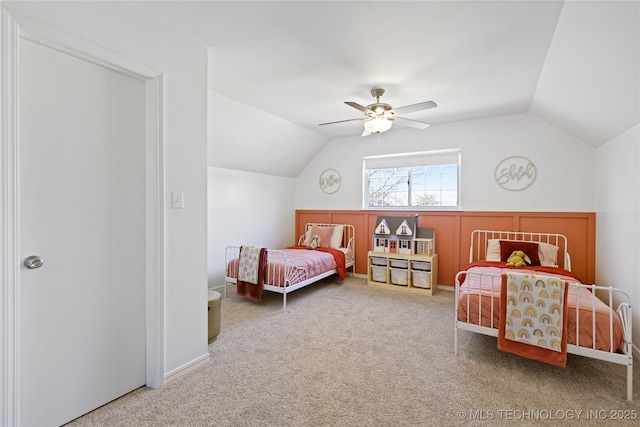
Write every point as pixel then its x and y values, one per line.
pixel 564 164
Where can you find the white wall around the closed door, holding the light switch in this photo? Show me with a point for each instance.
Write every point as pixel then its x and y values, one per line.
pixel 123 29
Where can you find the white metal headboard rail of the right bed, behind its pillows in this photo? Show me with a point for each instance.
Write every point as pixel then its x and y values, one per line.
pixel 480 240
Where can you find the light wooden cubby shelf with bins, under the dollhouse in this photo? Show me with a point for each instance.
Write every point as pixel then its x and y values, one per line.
pixel 416 272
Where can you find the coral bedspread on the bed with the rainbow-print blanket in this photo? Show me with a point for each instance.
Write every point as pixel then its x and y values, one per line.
pixel 475 302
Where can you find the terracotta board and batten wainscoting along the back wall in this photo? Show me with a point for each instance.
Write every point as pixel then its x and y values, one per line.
pixel 453 233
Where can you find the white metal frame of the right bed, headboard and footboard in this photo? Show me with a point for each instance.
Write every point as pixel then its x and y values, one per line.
pixel 479 241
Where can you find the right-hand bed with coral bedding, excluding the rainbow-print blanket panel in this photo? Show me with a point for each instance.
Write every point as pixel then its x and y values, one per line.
pixel 598 318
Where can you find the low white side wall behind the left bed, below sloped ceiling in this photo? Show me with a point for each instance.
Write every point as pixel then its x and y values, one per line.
pixel 247 209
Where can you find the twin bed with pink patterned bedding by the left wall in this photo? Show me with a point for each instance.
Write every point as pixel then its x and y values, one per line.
pixel 286 270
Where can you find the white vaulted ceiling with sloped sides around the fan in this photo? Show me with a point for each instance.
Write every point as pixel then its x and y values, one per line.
pixel 290 65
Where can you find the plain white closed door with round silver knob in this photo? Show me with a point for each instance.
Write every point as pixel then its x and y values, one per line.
pixel 82 210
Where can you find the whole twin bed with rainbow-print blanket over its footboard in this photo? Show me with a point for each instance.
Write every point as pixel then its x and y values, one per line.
pixel 488 300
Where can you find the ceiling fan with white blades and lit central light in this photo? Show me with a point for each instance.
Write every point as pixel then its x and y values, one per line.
pixel 378 117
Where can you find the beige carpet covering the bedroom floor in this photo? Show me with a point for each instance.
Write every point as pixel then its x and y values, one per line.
pixel 348 354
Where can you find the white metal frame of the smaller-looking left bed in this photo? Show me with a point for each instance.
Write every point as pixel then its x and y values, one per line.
pixel 292 272
